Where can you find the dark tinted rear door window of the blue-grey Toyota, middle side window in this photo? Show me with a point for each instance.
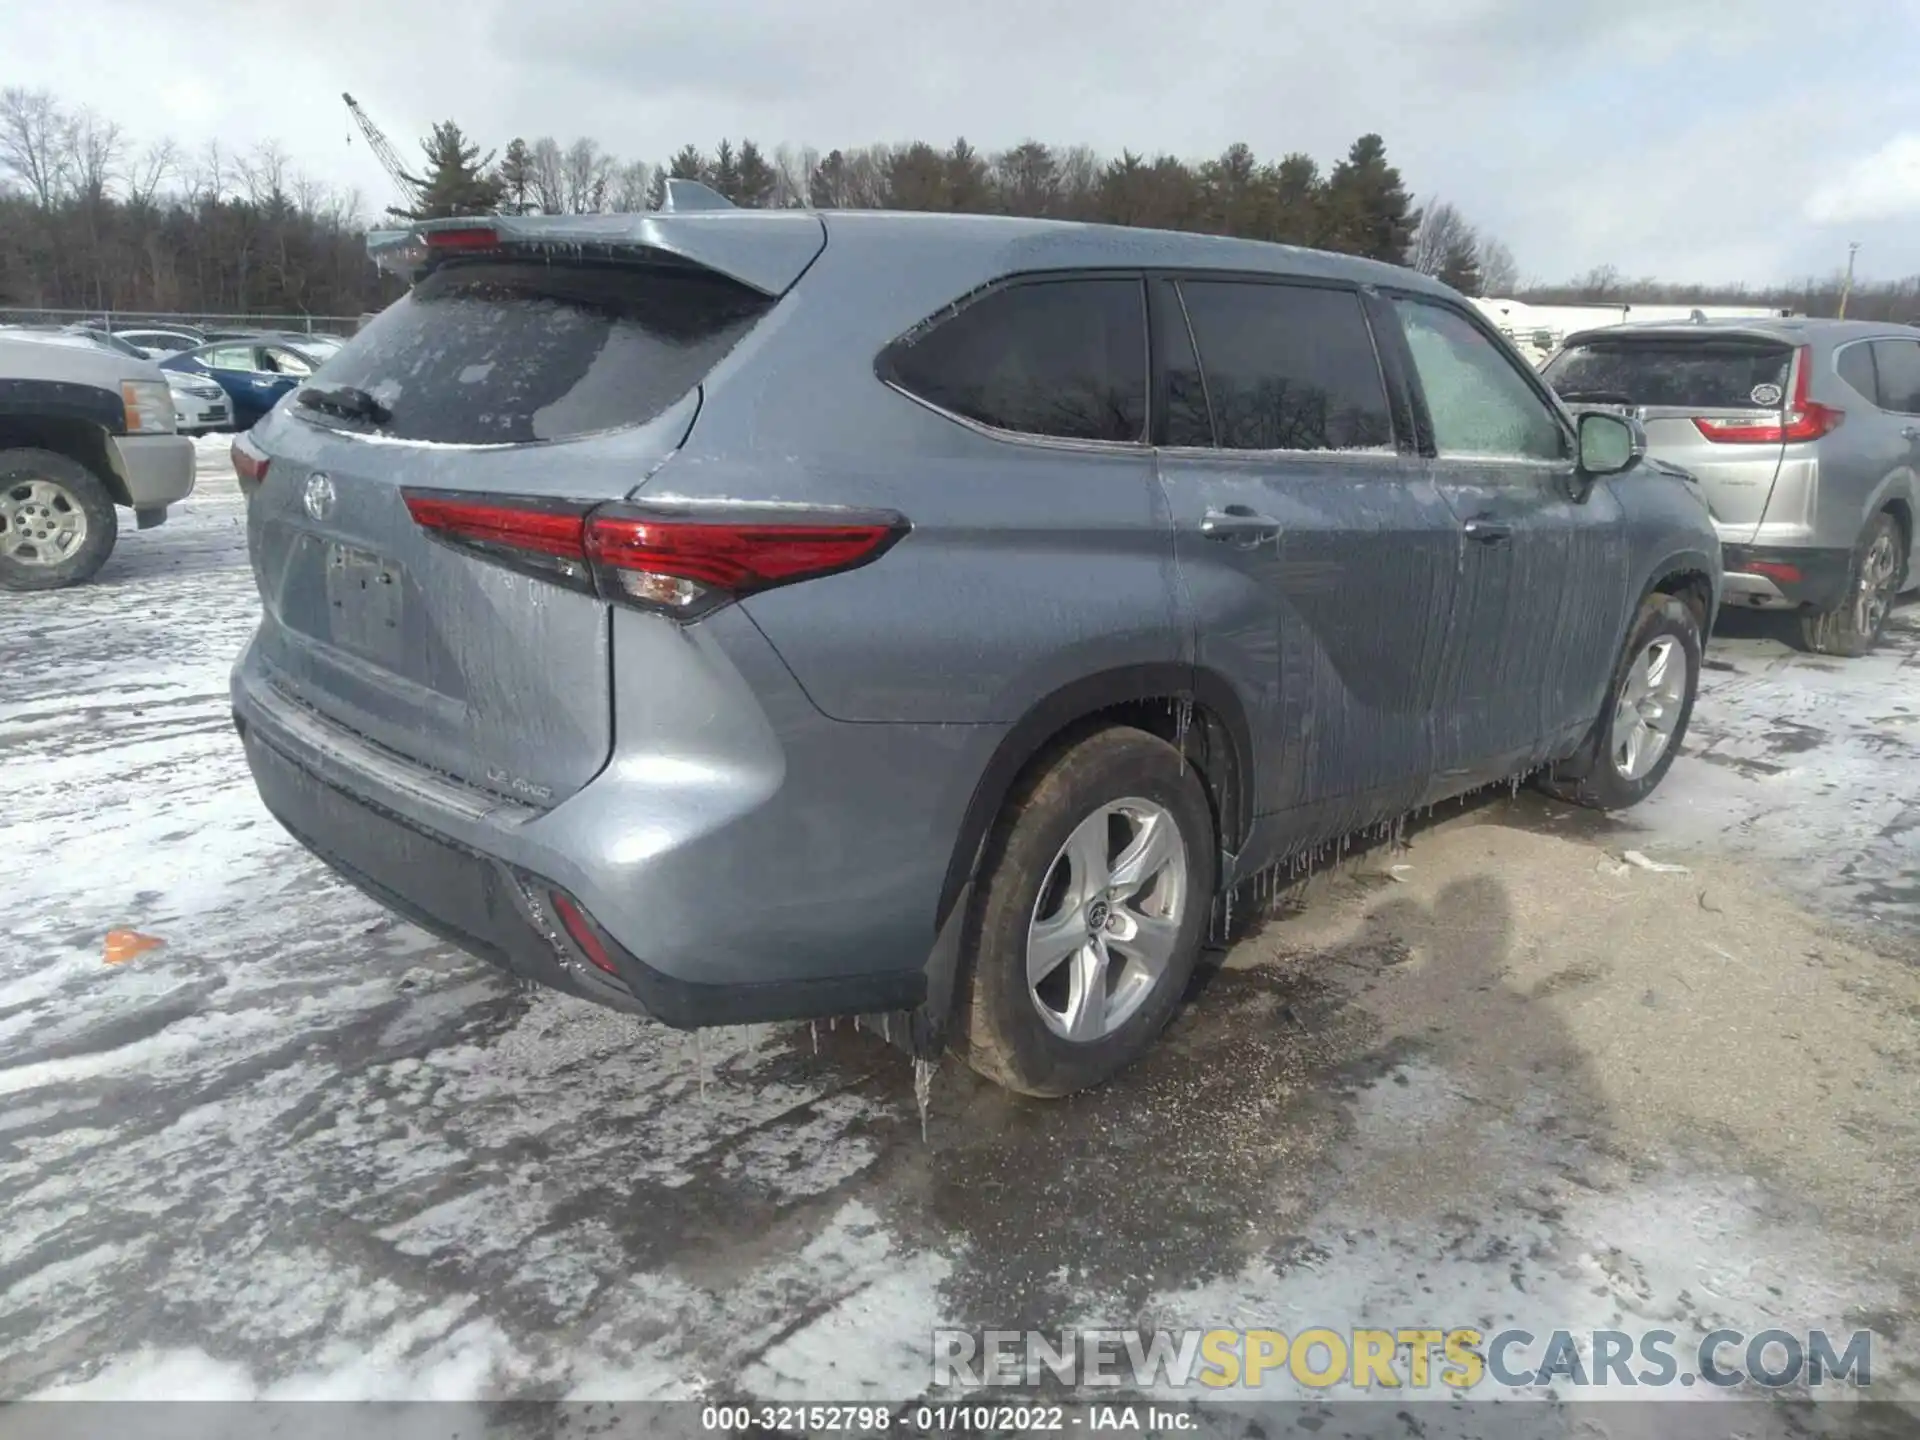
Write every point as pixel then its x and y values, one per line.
pixel 1287 366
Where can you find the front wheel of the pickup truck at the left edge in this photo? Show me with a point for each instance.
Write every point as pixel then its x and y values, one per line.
pixel 45 498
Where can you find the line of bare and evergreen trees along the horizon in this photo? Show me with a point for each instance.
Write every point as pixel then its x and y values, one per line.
pixel 91 220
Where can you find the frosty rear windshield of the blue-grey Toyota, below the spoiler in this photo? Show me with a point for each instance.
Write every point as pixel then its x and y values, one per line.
pixel 491 352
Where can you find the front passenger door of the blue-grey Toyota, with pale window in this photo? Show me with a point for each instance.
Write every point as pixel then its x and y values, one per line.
pixel 1545 573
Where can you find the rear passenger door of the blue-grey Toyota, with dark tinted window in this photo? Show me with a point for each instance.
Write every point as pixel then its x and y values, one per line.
pixel 1316 556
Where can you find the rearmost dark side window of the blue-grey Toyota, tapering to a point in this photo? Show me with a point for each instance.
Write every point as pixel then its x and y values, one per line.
pixel 1049 358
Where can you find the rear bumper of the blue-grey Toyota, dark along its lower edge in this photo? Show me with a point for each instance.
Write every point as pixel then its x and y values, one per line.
pixel 731 905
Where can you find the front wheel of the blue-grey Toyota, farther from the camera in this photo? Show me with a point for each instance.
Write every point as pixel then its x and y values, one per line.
pixel 1648 704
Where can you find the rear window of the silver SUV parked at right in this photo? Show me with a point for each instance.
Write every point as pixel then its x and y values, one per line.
pixel 1689 373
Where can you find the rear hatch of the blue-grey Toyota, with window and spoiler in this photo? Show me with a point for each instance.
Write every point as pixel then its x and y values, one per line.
pixel 418 498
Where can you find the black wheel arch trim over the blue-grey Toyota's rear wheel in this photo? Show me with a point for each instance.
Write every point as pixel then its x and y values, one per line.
pixel 1189 708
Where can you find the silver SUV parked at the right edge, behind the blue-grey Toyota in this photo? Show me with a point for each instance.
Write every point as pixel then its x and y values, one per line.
pixel 1804 437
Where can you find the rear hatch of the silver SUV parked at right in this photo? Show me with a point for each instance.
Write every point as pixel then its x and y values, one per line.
pixel 1712 402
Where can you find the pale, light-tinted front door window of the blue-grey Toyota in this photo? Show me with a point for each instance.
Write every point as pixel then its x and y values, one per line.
pixel 1477 398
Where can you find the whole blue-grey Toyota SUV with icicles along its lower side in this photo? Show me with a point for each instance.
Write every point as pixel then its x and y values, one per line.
pixel 765 615
